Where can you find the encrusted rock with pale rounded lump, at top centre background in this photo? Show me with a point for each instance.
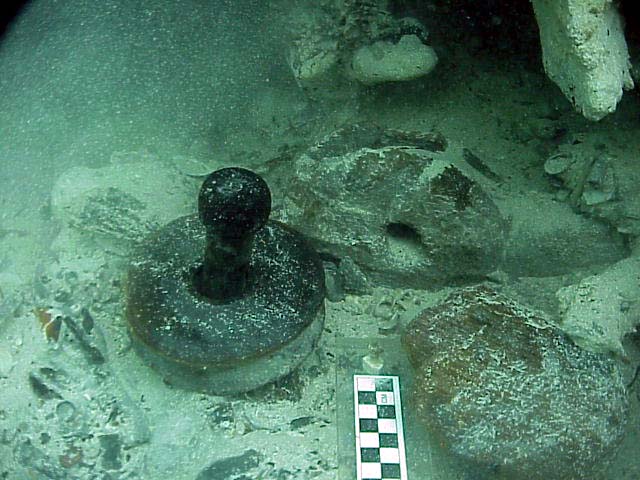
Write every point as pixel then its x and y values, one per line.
pixel 336 41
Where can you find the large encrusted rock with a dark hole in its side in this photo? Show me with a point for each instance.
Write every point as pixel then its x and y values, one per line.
pixel 399 204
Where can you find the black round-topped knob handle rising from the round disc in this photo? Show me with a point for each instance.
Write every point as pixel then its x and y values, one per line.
pixel 233 204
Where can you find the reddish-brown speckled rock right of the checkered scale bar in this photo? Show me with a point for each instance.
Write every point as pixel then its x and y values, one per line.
pixel 502 388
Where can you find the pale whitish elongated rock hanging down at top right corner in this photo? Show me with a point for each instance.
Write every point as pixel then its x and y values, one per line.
pixel 584 52
